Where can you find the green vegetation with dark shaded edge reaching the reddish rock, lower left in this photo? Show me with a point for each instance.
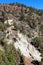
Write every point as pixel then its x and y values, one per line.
pixel 10 56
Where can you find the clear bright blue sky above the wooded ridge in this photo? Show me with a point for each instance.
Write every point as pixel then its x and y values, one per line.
pixel 34 3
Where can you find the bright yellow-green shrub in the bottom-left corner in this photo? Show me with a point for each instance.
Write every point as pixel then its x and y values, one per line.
pixel 7 57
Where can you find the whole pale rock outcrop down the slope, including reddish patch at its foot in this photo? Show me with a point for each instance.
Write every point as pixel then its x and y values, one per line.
pixel 23 42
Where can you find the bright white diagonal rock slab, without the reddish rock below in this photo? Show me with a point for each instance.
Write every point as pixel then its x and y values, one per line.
pixel 28 50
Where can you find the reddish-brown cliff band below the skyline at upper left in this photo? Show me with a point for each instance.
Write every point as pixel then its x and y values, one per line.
pixel 8 8
